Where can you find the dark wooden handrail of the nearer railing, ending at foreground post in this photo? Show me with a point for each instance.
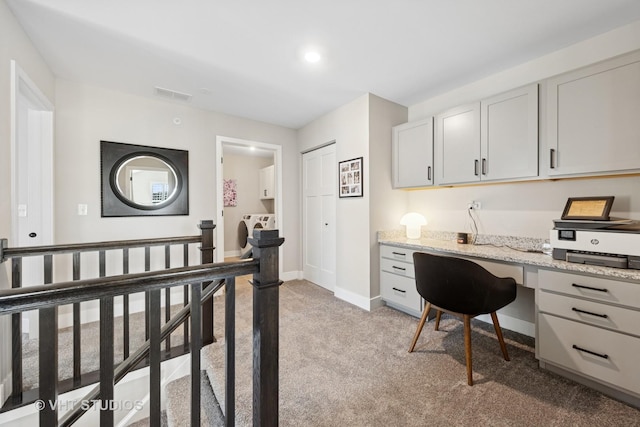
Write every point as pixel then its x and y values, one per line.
pixel 36 297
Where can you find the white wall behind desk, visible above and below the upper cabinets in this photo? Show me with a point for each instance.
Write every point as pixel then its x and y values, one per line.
pixel 525 209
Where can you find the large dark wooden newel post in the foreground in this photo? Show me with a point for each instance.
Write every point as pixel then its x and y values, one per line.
pixel 266 286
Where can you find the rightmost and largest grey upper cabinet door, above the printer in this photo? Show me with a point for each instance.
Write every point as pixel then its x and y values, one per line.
pixel 593 124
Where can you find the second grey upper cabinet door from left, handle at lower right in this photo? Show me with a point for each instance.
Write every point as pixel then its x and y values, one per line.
pixel 457 145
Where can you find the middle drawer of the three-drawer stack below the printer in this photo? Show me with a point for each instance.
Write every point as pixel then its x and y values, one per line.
pixel 608 316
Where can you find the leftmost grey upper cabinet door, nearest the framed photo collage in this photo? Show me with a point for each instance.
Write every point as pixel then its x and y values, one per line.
pixel 412 154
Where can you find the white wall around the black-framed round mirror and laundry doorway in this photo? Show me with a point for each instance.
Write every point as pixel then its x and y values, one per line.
pixel 87 114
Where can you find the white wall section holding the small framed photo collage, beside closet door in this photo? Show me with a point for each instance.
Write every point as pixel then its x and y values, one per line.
pixel 348 126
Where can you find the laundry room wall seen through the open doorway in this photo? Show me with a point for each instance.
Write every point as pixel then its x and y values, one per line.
pixel 245 169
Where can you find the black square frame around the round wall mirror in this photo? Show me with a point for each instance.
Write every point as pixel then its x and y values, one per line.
pixel 115 204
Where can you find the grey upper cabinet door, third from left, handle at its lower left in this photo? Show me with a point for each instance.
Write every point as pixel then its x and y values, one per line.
pixel 509 141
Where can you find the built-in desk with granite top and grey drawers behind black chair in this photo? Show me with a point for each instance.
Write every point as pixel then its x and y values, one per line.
pixel 585 319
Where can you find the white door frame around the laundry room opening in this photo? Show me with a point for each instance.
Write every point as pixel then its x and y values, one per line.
pixel 278 211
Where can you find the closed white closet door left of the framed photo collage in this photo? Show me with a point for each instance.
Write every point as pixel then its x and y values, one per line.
pixel 319 171
